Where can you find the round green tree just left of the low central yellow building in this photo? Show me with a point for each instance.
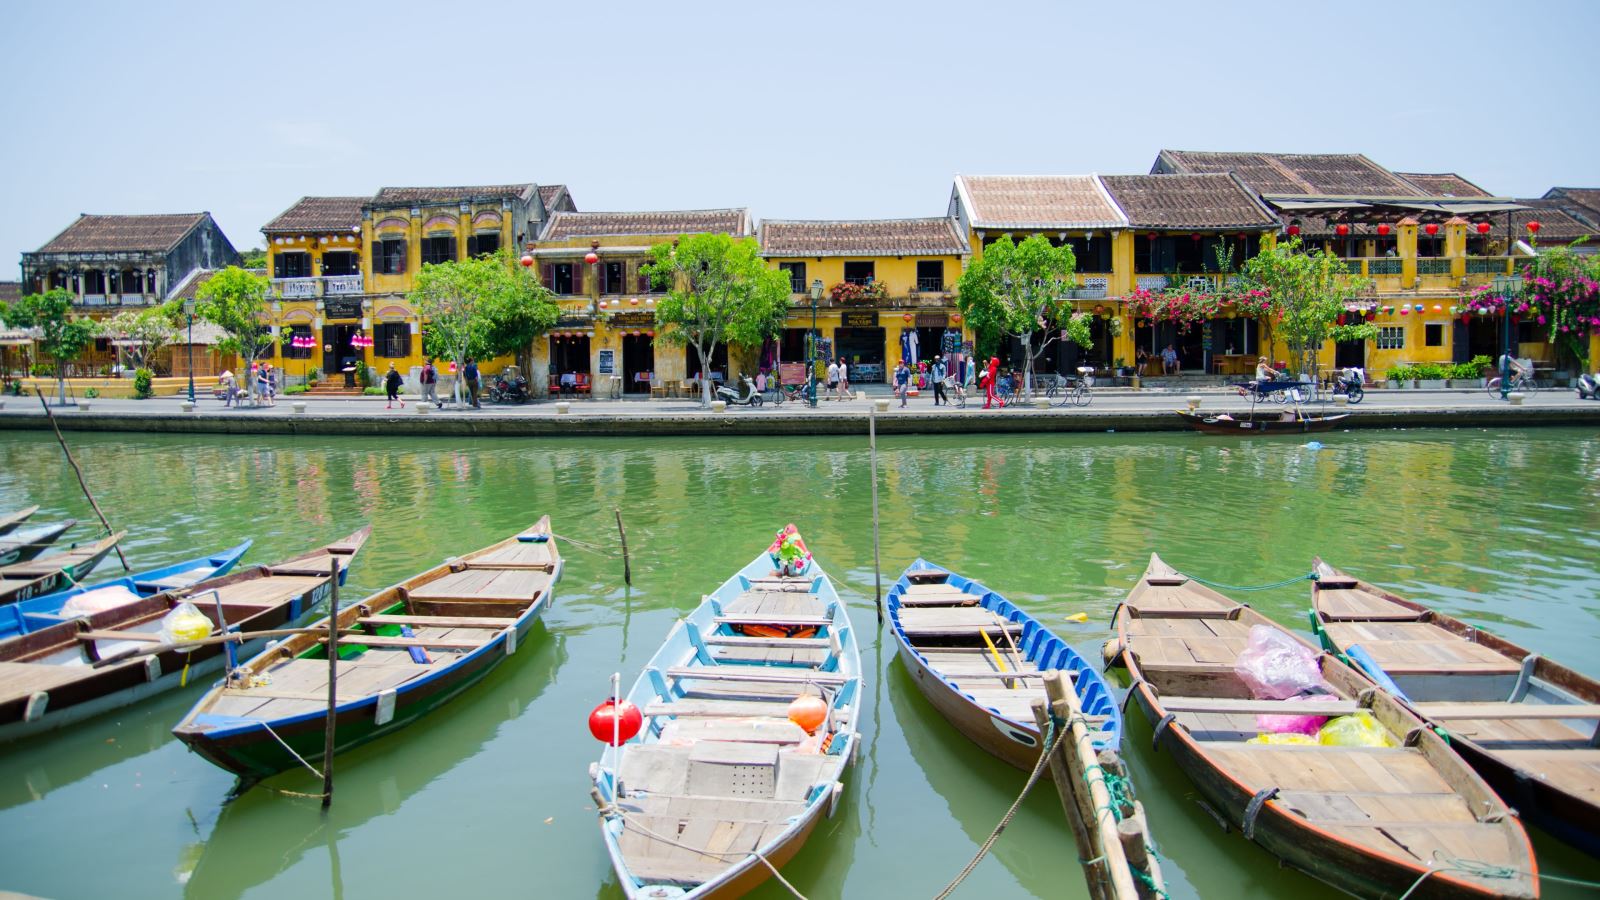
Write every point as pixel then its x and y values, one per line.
pixel 719 291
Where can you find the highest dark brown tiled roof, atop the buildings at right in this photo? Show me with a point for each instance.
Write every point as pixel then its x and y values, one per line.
pixel 1335 175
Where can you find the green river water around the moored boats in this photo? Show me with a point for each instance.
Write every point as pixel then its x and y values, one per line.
pixel 490 797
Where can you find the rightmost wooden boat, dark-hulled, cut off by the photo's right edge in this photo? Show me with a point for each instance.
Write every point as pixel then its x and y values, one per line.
pixel 1526 723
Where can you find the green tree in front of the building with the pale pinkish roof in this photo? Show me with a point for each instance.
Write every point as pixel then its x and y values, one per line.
pixel 1022 291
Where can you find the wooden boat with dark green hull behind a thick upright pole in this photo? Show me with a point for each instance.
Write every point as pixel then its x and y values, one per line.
pixel 404 653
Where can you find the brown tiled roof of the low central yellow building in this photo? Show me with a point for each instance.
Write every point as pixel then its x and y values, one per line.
pixel 863 238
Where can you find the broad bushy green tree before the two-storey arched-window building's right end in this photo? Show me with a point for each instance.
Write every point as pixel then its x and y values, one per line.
pixel 481 308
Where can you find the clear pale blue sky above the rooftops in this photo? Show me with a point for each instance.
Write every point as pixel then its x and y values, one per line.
pixel 818 110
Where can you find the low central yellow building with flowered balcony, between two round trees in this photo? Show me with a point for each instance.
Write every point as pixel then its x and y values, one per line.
pixel 887 291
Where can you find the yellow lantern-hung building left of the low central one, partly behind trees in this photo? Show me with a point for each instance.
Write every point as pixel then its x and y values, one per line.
pixel 606 340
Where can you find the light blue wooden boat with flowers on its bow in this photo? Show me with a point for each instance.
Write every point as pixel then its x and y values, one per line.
pixel 719 777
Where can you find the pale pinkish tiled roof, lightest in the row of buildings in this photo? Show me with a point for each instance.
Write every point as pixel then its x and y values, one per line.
pixel 1030 201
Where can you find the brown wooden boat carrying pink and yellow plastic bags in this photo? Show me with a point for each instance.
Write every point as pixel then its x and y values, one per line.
pixel 1369 821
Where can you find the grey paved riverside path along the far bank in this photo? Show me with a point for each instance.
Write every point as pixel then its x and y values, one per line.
pixel 1113 409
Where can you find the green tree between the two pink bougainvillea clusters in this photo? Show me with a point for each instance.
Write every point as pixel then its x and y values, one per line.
pixel 1306 294
